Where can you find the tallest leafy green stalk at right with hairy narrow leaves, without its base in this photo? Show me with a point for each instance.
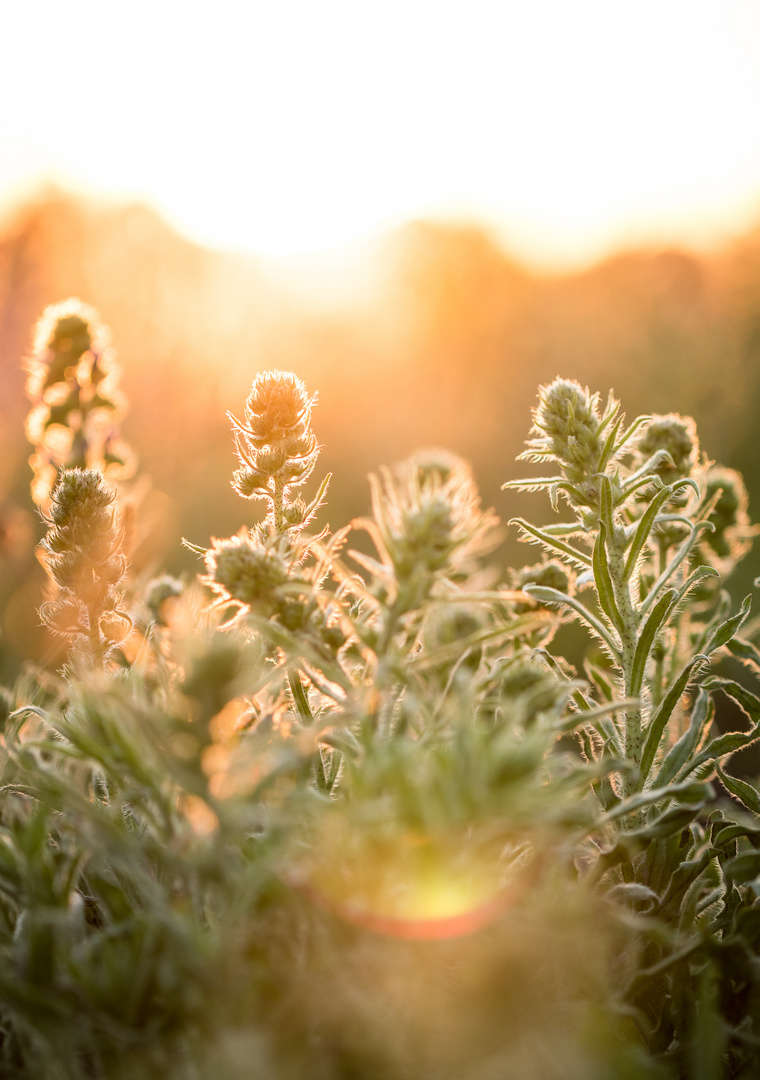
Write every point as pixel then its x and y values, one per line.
pixel 634 536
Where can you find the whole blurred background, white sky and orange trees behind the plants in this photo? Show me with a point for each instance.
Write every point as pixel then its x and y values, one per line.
pixel 424 209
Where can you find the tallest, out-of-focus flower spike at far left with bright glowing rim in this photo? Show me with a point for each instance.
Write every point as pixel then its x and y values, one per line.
pixel 76 406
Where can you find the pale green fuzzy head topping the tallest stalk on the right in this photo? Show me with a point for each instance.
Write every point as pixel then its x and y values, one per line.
pixel 568 430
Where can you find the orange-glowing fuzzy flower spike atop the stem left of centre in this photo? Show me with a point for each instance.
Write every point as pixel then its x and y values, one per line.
pixel 278 451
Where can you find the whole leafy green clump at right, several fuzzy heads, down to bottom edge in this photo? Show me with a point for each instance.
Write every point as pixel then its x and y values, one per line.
pixel 643 517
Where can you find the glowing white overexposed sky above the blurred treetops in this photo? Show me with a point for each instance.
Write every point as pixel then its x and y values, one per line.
pixel 288 126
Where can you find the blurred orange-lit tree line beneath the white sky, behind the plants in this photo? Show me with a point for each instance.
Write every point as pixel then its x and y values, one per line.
pixel 446 350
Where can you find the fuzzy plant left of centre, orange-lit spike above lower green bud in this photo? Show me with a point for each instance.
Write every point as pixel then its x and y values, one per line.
pixel 272 576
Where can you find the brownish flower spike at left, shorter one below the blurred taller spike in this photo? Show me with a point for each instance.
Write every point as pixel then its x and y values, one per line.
pixel 83 553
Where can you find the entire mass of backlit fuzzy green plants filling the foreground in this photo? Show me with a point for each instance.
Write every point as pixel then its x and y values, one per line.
pixel 329 814
